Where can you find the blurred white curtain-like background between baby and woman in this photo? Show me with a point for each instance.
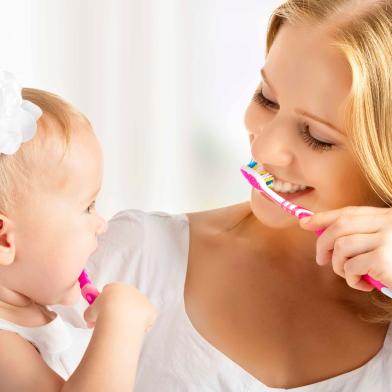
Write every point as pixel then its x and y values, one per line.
pixel 164 82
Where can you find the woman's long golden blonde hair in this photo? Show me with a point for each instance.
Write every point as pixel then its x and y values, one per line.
pixel 362 31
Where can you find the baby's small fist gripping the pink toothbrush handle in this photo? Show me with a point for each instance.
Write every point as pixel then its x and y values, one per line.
pixel 118 302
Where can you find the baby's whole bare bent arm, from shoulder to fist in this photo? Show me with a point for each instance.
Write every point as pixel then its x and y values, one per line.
pixel 121 314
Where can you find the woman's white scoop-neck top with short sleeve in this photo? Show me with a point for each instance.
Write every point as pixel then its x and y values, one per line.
pixel 150 251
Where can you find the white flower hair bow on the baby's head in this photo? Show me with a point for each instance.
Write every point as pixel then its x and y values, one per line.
pixel 18 117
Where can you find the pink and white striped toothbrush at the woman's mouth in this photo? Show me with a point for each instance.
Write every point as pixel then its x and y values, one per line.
pixel 261 180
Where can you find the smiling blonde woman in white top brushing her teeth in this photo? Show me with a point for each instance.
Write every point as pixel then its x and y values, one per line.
pixel 249 299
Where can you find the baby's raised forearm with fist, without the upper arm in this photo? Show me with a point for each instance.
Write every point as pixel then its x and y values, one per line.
pixel 121 315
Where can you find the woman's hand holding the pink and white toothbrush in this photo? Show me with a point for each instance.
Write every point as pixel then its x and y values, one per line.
pixel 357 241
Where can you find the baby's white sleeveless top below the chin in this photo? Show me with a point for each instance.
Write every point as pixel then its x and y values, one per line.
pixel 60 344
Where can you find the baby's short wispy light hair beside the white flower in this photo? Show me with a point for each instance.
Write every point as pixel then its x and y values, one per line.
pixel 56 122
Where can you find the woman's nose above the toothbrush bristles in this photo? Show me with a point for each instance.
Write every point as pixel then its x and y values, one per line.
pixel 271 145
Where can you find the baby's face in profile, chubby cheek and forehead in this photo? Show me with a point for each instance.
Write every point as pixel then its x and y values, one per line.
pixel 56 229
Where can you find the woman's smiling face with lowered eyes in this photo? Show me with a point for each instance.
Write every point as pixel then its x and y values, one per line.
pixel 295 125
